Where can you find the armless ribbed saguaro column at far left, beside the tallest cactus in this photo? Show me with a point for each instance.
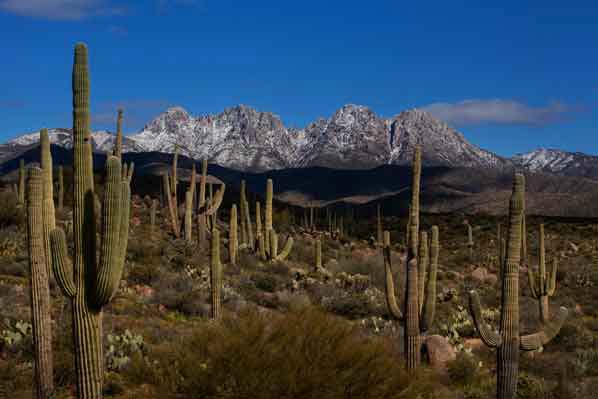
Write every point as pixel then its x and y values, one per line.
pixel 37 238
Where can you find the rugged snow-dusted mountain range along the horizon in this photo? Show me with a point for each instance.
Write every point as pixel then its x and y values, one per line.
pixel 354 137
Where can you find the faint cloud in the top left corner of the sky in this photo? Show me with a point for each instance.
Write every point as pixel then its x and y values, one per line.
pixel 60 9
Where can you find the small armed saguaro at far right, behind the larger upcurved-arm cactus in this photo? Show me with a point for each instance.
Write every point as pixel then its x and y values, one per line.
pixel 544 285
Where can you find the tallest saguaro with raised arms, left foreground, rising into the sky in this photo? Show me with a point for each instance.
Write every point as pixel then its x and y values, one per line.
pixel 91 283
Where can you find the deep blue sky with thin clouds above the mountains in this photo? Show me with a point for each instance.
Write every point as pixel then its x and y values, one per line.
pixel 512 77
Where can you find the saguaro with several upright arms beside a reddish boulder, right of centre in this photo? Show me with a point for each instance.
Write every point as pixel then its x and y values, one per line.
pixel 420 298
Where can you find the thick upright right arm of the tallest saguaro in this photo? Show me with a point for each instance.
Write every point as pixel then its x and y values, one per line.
pixel 108 276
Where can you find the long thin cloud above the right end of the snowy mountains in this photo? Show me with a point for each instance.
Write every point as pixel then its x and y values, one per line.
pixel 499 111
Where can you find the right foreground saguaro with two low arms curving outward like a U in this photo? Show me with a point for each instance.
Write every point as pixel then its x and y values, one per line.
pixel 507 340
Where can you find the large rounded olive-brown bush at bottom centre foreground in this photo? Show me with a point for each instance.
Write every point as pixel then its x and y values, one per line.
pixel 298 355
